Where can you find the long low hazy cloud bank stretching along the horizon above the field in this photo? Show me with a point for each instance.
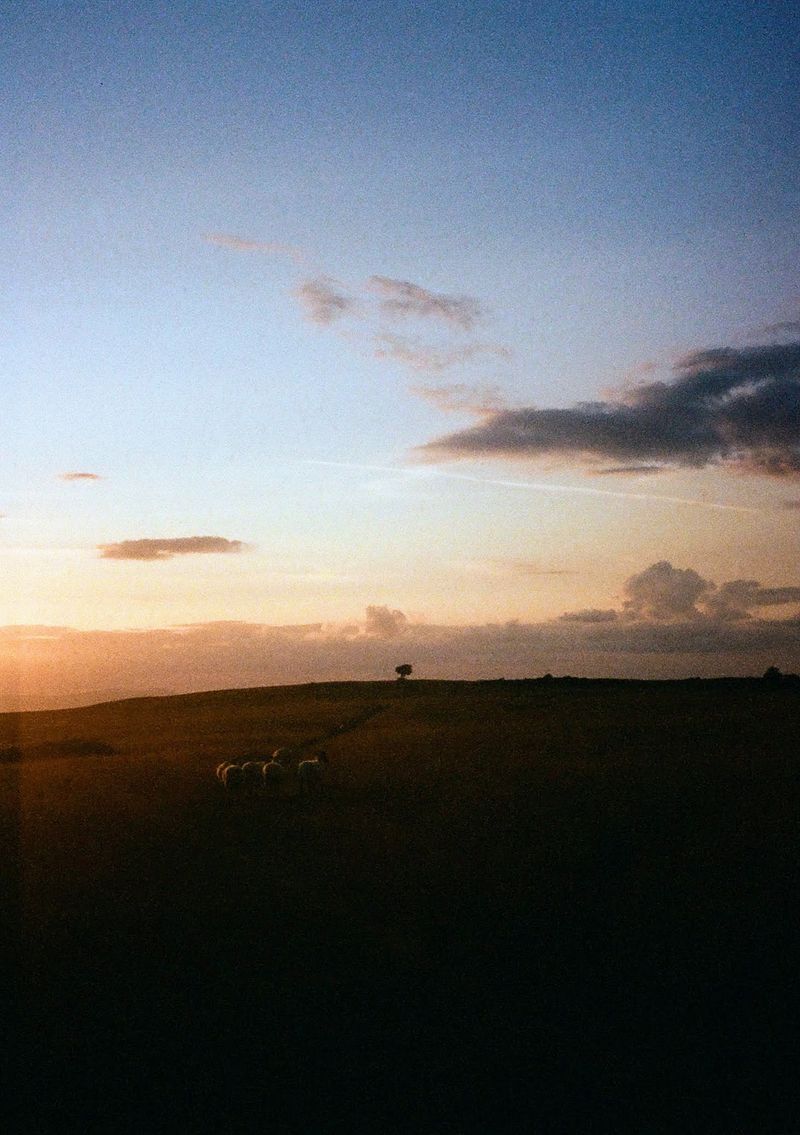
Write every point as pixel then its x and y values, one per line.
pixel 87 667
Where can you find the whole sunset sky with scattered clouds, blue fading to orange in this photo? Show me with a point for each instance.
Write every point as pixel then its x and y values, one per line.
pixel 343 335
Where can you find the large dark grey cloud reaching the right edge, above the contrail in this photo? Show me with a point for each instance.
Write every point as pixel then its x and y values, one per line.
pixel 738 409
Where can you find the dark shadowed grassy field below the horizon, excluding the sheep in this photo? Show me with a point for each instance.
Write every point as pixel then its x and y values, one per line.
pixel 520 907
